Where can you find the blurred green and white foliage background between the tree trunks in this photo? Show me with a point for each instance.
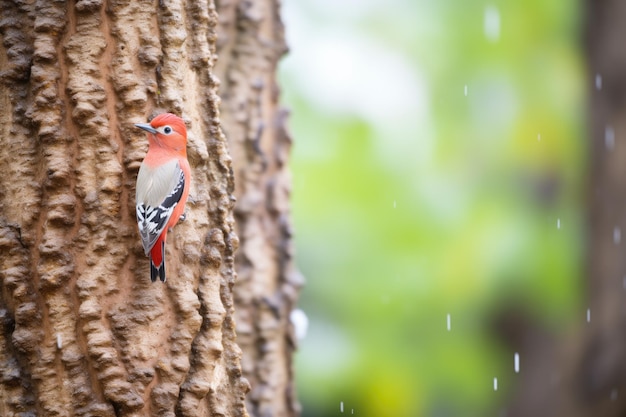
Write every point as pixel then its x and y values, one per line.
pixel 438 167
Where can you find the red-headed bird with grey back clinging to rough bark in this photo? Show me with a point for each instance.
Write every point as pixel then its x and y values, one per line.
pixel 162 186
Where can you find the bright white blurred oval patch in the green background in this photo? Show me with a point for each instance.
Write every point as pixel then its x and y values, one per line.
pixel 344 73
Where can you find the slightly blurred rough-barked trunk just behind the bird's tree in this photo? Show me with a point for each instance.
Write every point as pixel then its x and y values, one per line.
pixel 250 43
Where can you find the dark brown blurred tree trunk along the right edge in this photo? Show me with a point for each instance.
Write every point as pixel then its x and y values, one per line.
pixel 601 374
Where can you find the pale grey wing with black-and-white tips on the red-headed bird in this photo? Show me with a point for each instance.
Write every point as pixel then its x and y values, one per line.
pixel 159 190
